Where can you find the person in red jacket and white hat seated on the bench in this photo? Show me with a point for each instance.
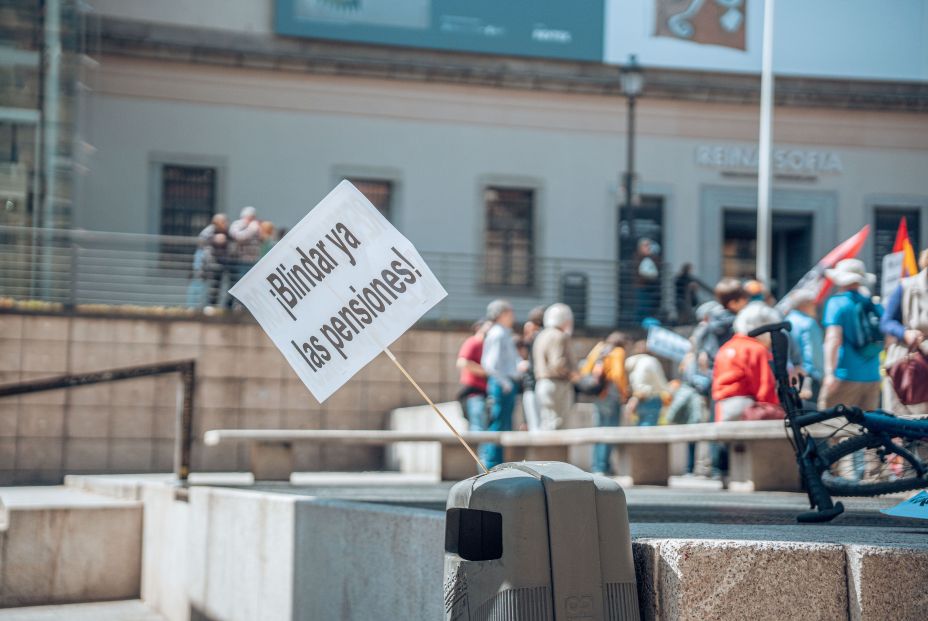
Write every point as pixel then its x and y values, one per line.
pixel 742 375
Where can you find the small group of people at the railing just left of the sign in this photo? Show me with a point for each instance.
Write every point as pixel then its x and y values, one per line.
pixel 225 252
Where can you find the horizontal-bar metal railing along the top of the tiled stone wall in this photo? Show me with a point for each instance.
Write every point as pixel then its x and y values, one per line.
pixel 90 270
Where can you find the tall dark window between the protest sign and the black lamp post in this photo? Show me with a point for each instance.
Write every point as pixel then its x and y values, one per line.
pixel 510 252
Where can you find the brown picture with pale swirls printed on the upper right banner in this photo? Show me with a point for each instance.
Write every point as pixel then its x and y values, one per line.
pixel 709 22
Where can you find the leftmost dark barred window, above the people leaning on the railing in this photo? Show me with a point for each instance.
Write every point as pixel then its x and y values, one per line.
pixel 188 199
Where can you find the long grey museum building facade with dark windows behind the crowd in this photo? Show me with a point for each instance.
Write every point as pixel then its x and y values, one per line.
pixel 504 171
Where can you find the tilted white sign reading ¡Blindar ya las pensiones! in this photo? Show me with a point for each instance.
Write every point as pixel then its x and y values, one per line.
pixel 338 289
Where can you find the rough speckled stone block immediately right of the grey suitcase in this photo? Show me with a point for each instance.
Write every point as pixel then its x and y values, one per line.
pixel 713 579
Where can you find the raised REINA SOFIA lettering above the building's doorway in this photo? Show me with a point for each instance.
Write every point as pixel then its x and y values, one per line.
pixel 796 161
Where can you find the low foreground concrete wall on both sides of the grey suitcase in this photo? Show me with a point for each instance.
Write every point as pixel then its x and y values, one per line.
pixel 228 554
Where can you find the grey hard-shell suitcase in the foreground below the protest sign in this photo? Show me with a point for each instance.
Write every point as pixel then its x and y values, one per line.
pixel 538 541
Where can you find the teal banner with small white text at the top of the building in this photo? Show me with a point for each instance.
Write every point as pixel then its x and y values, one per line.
pixel 565 29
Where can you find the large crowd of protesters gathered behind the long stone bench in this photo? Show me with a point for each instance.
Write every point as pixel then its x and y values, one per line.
pixel 837 355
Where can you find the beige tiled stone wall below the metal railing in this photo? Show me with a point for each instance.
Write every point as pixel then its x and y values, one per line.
pixel 242 382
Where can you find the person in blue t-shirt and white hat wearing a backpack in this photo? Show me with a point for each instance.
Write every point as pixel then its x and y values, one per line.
pixel 853 340
